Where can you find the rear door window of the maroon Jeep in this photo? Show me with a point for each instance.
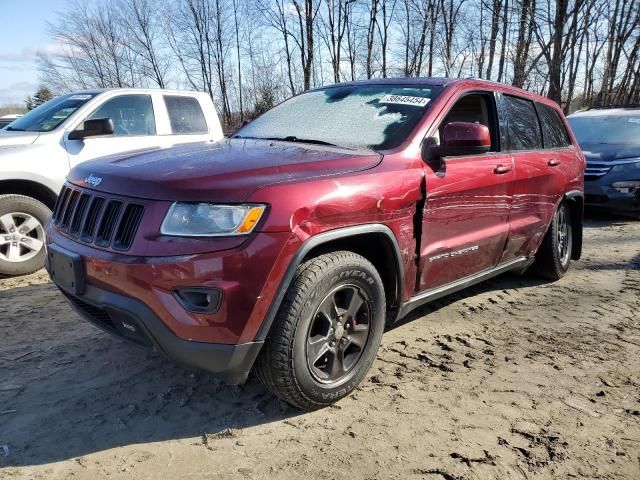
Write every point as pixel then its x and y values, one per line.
pixel 524 127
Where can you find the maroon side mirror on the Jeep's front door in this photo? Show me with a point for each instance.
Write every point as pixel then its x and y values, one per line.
pixel 462 138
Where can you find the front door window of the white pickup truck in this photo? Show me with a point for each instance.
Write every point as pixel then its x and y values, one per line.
pixel 132 115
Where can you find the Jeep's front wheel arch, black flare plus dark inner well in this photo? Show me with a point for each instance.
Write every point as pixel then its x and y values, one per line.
pixel 375 242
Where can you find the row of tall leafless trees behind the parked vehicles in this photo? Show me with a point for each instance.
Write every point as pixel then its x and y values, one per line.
pixel 247 54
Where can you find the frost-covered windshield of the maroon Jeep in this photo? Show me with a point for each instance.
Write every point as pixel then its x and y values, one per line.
pixel 365 116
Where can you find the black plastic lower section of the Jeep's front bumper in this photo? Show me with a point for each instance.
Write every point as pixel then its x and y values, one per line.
pixel 131 320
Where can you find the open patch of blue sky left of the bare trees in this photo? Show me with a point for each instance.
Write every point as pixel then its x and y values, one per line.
pixel 23 33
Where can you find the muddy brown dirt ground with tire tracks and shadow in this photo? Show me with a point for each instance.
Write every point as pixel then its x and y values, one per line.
pixel 515 378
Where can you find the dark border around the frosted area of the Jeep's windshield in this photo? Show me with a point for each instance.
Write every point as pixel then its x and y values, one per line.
pixel 435 92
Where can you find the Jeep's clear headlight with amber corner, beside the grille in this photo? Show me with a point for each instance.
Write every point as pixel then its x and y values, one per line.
pixel 210 220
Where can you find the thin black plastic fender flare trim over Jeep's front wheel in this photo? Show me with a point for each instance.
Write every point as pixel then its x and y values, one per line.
pixel 316 241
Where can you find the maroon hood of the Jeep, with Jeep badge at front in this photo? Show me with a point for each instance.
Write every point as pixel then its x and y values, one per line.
pixel 226 171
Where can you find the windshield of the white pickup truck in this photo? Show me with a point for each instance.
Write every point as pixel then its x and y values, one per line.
pixel 49 115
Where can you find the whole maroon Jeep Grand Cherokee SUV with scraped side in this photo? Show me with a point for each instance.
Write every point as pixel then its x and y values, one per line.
pixel 286 249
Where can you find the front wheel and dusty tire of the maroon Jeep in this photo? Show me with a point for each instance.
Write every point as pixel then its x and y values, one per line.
pixel 292 364
